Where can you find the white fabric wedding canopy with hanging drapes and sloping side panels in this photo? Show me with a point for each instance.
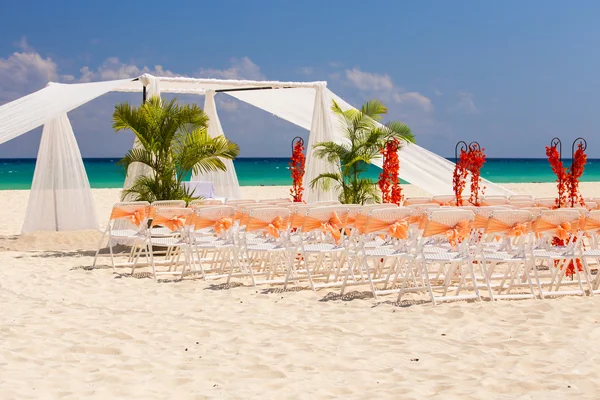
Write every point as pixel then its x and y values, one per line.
pixel 60 197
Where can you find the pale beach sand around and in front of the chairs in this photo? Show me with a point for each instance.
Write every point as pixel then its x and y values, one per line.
pixel 67 331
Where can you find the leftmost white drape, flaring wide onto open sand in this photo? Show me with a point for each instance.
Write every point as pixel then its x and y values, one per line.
pixel 60 198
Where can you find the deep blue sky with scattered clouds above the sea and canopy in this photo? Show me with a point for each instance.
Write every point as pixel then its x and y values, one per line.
pixel 510 74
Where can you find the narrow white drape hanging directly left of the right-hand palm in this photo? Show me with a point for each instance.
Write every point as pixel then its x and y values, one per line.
pixel 320 131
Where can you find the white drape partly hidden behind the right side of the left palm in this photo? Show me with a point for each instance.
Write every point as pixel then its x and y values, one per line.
pixel 225 182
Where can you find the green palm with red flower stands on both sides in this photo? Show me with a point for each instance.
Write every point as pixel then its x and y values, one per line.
pixel 365 137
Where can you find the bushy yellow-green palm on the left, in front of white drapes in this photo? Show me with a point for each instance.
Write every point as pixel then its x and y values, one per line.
pixel 174 143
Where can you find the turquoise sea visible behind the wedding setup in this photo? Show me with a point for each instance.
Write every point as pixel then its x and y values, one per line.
pixel 104 173
